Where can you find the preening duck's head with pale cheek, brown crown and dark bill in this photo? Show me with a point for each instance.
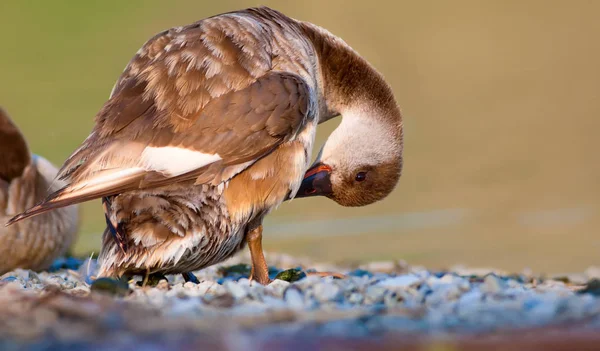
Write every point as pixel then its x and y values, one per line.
pixel 359 164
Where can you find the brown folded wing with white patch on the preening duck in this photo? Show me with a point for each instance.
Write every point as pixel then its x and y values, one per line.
pixel 199 102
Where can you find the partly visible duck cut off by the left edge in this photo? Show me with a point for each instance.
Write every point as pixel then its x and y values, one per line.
pixel 24 180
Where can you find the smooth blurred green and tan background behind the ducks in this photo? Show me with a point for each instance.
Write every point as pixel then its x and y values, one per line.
pixel 501 108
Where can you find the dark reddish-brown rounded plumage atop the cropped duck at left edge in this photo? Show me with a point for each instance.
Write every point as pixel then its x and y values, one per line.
pixel 14 153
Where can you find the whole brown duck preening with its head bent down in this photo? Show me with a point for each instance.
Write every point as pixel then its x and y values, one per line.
pixel 211 126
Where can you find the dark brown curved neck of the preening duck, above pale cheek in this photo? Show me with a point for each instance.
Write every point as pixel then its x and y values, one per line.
pixel 350 84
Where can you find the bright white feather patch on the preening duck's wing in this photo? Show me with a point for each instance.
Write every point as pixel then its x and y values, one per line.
pixel 175 161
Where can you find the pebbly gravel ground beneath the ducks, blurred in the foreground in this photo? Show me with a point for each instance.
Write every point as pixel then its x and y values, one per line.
pixel 377 303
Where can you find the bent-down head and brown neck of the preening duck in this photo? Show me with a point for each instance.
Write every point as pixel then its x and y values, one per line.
pixel 361 161
